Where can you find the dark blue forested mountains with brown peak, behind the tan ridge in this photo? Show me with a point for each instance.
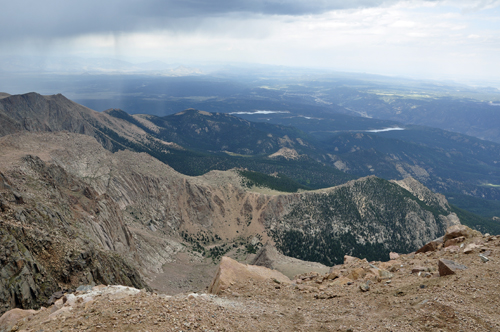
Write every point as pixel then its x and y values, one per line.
pixel 195 142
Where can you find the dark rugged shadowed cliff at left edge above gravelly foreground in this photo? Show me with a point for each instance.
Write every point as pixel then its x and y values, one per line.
pixel 56 232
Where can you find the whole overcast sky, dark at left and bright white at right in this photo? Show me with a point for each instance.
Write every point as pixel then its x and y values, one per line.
pixel 421 38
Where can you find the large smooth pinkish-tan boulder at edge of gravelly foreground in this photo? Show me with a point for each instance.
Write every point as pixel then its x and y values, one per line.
pixel 231 272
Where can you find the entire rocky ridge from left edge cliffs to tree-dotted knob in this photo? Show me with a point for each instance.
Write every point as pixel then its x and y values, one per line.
pixel 74 213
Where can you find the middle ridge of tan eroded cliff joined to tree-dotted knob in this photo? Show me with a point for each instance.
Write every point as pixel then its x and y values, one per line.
pixel 366 212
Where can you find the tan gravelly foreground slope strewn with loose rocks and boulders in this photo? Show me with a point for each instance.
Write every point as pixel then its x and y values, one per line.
pixel 449 289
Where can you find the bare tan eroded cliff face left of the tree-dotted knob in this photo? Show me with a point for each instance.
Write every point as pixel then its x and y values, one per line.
pixel 158 202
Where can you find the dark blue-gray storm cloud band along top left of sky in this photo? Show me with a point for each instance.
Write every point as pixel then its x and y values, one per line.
pixel 32 19
